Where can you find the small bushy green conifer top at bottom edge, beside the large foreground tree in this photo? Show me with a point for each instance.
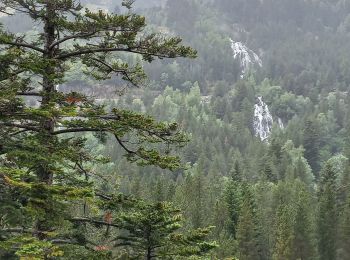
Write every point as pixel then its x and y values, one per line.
pixel 153 233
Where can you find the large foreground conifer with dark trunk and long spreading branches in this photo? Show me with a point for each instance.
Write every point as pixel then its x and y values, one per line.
pixel 45 164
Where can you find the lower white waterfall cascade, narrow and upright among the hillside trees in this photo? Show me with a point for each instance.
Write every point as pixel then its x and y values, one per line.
pixel 263 120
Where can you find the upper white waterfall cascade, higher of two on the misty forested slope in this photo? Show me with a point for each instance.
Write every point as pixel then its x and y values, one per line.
pixel 247 58
